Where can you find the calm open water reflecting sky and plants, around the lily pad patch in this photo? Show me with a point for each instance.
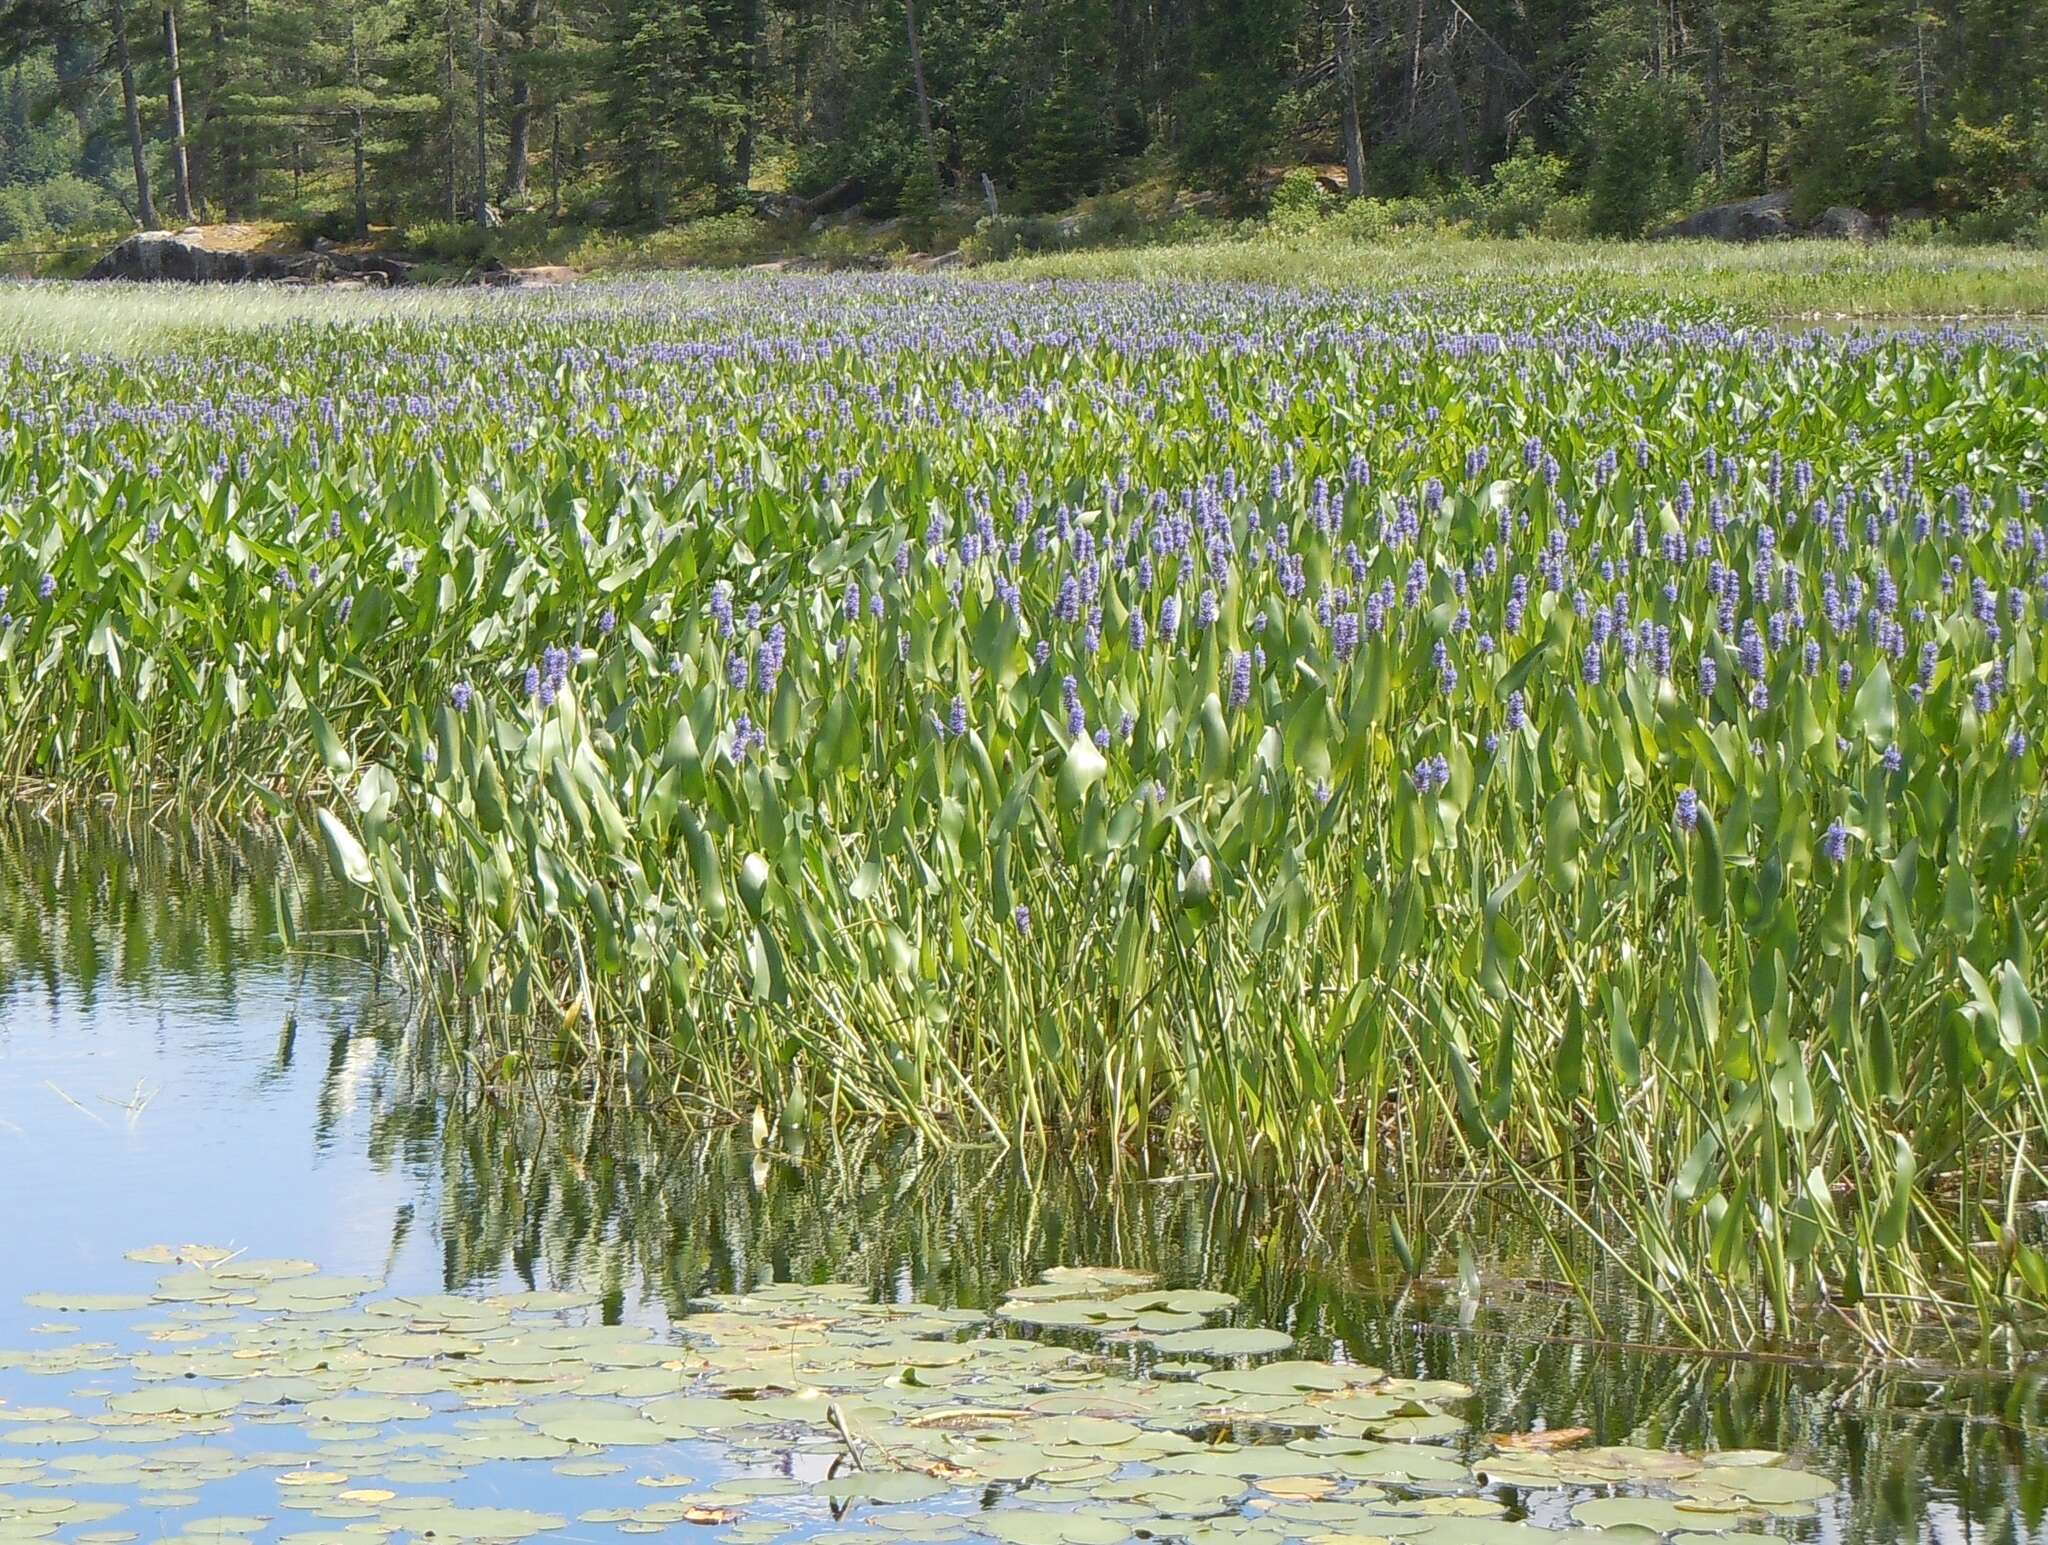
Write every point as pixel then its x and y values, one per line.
pixel 173 1073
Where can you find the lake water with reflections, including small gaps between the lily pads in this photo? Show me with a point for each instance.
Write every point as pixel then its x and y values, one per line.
pixel 173 1073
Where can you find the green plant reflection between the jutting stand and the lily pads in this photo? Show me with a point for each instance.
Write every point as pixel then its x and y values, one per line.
pixel 658 1216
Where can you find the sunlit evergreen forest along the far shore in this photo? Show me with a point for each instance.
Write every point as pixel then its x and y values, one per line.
pixel 1586 116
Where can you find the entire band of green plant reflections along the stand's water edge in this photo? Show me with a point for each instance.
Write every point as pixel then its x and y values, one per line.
pixel 554 1194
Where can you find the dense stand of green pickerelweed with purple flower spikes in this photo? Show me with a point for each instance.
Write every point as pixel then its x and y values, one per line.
pixel 1396 735
